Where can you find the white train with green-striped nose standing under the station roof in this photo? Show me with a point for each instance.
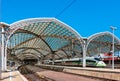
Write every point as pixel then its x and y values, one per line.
pixel 90 62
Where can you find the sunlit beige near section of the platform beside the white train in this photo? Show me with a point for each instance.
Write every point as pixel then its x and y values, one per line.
pixel 95 72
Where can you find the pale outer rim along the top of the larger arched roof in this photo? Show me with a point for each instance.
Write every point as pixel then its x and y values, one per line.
pixel 25 22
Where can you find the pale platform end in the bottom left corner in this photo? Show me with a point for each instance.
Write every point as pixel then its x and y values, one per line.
pixel 13 76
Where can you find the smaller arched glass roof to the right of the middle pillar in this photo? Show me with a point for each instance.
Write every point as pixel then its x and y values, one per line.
pixel 101 43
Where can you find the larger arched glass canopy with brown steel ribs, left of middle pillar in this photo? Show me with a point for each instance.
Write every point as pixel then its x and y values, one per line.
pixel 43 38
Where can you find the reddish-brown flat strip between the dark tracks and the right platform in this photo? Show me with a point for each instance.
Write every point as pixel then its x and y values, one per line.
pixel 50 75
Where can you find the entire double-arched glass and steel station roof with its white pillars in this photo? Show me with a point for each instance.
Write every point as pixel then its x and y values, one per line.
pixel 50 39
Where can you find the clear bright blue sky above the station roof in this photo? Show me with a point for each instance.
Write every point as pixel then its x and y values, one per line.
pixel 86 16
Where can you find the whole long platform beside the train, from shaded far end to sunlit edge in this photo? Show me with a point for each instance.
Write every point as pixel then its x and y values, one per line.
pixel 103 73
